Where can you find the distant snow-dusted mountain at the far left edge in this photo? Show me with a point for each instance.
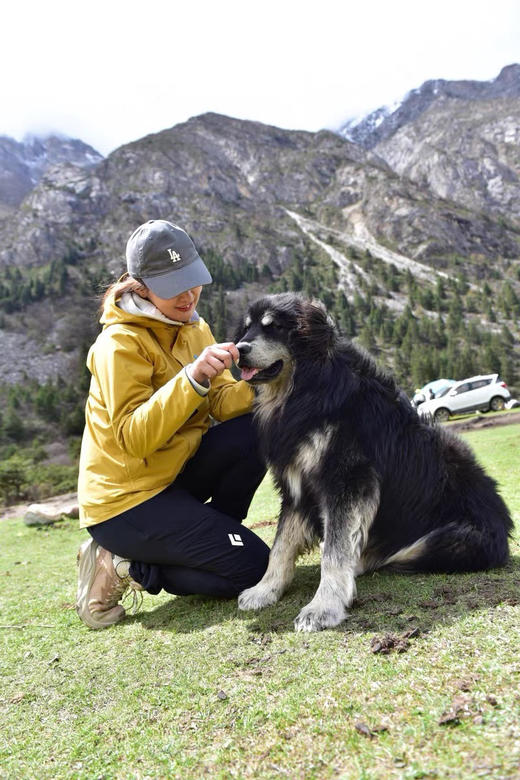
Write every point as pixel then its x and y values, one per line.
pixel 22 164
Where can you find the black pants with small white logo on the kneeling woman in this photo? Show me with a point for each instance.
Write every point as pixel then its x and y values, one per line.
pixel 181 544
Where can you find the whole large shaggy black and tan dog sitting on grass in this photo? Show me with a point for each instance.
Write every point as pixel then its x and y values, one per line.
pixel 356 467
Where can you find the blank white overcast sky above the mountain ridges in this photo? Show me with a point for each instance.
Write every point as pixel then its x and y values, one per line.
pixel 113 71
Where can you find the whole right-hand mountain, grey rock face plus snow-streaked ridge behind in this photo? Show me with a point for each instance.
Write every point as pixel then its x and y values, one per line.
pixel 457 139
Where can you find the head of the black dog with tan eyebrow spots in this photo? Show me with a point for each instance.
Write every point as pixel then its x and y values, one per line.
pixel 279 330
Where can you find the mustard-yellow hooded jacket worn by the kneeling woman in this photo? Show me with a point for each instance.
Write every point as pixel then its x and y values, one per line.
pixel 144 419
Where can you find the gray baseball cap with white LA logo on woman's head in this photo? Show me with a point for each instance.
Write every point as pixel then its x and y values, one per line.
pixel 164 257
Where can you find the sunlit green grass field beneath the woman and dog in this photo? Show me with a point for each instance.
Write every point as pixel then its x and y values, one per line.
pixel 423 681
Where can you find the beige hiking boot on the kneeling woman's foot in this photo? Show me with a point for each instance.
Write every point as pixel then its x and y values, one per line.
pixel 100 588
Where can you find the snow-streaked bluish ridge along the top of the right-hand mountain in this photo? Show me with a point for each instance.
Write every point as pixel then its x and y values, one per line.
pixel 382 123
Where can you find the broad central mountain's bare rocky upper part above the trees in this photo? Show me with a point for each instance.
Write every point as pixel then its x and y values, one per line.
pixel 231 183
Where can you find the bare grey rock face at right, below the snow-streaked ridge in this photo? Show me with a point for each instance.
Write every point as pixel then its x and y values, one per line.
pixel 465 151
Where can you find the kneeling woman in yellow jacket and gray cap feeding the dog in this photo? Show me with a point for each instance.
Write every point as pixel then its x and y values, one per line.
pixel 149 458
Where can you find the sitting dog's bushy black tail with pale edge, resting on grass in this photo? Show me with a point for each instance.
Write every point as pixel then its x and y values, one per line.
pixel 451 548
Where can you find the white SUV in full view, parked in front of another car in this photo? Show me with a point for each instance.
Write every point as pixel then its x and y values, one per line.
pixel 482 393
